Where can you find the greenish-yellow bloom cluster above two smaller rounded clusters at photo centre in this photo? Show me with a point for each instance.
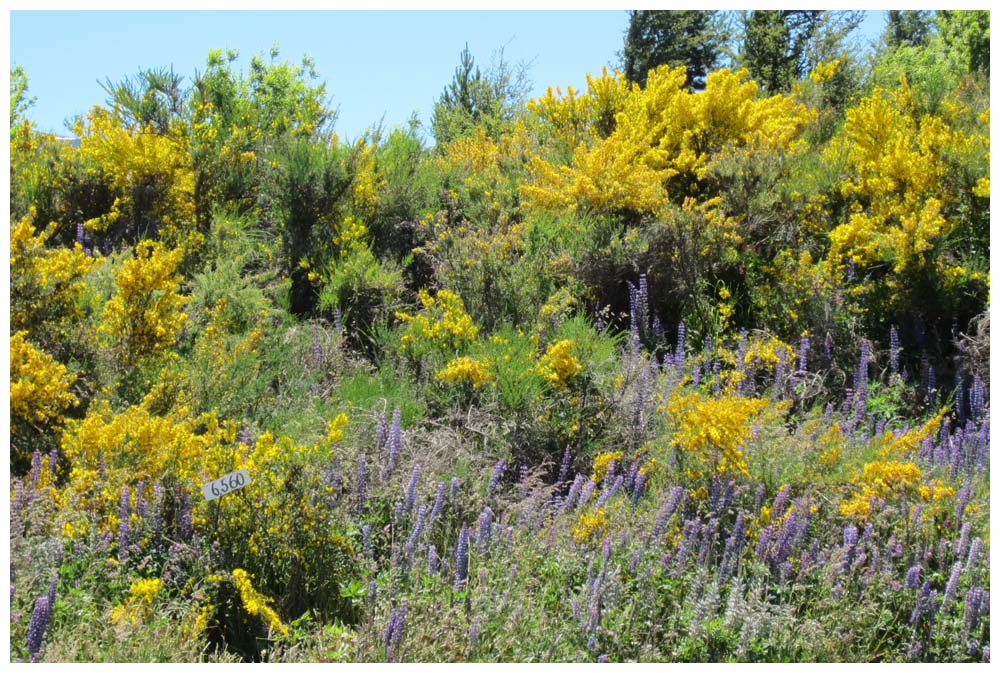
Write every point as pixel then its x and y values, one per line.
pixel 443 325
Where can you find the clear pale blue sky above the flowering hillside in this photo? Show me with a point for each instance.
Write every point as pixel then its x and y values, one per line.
pixel 375 63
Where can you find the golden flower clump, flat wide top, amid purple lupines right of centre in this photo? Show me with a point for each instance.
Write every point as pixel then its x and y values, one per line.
pixel 707 427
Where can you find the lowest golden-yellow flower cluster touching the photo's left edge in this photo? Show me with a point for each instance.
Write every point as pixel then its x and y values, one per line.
pixel 39 386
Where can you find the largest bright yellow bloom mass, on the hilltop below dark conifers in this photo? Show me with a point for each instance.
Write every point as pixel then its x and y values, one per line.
pixel 663 136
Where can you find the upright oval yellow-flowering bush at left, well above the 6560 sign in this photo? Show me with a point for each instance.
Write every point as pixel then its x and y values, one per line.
pixel 144 317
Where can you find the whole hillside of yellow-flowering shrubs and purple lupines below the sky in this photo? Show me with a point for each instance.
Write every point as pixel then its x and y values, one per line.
pixel 635 374
